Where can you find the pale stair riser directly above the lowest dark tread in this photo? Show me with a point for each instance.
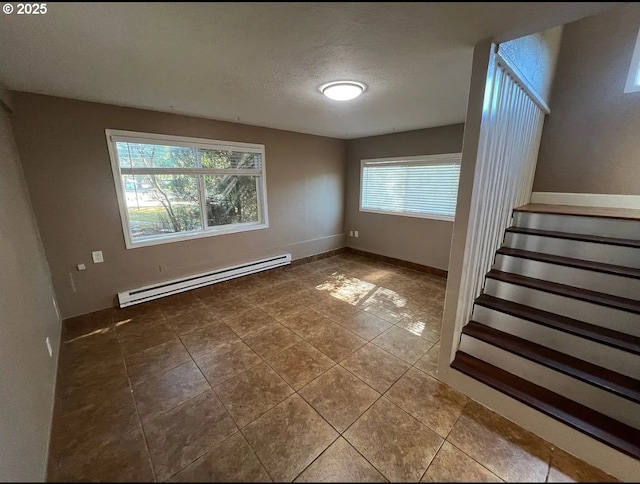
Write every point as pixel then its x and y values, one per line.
pixel 598 399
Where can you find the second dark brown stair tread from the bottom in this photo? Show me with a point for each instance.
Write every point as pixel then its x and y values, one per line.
pixel 609 380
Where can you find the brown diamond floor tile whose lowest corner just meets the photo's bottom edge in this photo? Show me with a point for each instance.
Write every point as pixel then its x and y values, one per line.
pixel 289 437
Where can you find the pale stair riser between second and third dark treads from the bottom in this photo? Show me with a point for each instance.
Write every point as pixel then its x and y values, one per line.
pixel 597 353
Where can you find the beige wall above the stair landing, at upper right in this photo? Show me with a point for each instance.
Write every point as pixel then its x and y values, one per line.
pixel 591 141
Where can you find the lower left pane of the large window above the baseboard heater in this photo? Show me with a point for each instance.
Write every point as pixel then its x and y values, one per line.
pixel 162 204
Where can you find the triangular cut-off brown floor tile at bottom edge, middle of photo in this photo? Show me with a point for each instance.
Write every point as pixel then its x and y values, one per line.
pixel 340 463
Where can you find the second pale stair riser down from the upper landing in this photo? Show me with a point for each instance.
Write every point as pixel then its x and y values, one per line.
pixel 591 251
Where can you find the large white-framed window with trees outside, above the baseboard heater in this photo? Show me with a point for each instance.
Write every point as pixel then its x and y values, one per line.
pixel 172 188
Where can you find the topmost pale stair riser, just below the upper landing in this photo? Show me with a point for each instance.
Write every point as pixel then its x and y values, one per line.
pixel 605 227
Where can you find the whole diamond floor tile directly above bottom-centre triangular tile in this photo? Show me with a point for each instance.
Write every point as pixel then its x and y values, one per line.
pixel 339 397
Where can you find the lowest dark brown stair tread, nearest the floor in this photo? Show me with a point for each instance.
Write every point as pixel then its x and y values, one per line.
pixel 601 427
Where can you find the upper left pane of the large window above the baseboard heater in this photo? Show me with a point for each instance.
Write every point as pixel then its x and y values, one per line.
pixel 138 155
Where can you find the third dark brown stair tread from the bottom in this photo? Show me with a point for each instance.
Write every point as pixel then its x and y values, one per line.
pixel 592 332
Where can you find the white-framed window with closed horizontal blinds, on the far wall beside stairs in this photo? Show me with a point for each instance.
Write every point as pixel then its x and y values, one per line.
pixel 415 186
